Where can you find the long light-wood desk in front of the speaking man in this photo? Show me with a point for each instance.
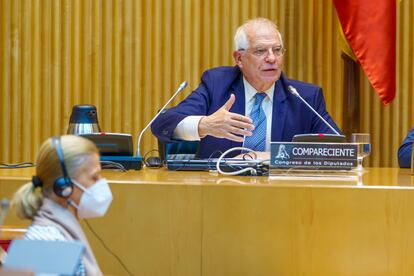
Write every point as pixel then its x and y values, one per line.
pixel 195 223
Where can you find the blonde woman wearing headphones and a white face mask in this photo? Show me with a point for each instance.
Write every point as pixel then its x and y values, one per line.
pixel 67 187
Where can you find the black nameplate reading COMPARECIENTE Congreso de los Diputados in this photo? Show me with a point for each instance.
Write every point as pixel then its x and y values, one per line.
pixel 307 155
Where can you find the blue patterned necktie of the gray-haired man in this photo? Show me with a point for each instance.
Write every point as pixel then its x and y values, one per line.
pixel 258 139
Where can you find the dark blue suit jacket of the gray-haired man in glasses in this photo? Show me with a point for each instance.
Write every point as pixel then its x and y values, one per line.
pixel 289 115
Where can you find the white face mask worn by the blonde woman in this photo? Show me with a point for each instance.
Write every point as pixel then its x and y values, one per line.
pixel 95 200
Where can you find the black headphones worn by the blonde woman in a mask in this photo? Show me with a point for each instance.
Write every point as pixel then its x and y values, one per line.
pixel 63 185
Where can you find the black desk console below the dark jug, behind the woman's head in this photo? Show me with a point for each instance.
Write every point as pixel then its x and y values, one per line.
pixel 116 147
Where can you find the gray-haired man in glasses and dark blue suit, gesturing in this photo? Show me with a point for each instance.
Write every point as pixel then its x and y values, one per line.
pixel 248 104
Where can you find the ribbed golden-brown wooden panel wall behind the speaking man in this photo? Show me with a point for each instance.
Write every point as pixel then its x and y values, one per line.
pixel 127 57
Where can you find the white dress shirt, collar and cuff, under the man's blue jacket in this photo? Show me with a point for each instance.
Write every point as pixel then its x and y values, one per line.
pixel 187 129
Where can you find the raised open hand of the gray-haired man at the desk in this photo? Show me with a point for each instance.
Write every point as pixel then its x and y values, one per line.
pixel 225 124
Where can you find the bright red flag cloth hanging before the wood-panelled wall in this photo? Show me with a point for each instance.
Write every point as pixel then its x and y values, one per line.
pixel 370 28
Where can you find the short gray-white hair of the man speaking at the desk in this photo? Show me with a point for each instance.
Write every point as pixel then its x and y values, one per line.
pixel 240 38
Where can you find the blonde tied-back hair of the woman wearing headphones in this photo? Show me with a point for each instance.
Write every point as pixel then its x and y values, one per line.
pixel 76 151
